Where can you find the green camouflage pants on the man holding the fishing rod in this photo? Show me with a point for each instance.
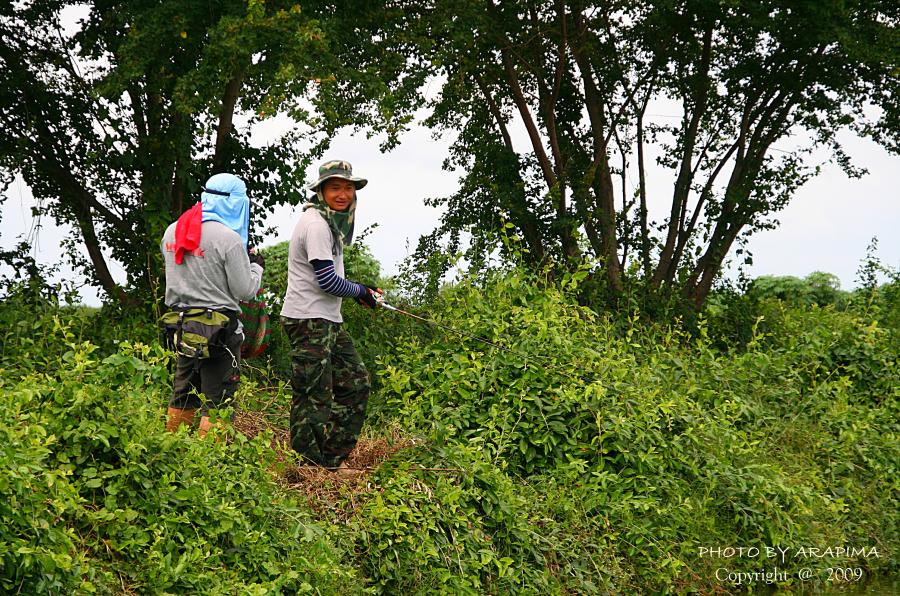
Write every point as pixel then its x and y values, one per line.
pixel 331 390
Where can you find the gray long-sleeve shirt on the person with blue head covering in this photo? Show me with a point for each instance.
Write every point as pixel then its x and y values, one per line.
pixel 218 274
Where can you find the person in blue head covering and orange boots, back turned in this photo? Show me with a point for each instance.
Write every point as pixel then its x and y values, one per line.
pixel 208 271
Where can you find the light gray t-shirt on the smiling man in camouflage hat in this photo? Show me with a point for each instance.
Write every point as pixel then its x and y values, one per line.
pixel 312 239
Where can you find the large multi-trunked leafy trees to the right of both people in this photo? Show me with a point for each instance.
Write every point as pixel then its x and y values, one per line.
pixel 578 77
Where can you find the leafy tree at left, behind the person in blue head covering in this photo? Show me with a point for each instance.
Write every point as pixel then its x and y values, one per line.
pixel 116 127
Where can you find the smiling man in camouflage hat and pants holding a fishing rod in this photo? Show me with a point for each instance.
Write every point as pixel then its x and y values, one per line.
pixel 329 380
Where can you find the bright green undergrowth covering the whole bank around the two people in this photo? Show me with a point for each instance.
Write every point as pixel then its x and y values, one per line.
pixel 596 455
